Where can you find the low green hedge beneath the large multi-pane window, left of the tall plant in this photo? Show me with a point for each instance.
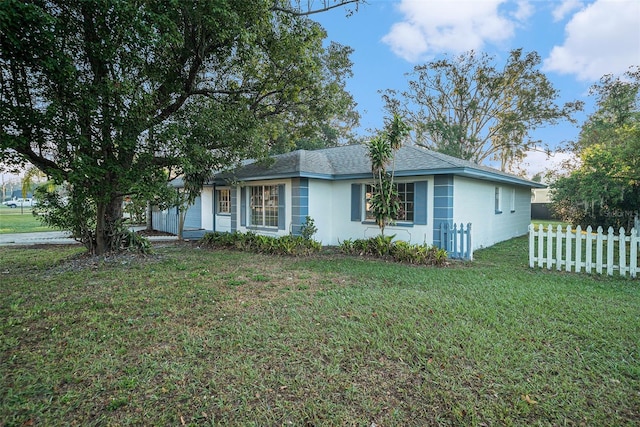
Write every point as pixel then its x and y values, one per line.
pixel 270 245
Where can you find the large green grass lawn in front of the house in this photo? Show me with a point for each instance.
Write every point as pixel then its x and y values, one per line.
pixel 196 337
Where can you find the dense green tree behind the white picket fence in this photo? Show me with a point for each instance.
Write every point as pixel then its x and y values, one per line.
pixel 605 188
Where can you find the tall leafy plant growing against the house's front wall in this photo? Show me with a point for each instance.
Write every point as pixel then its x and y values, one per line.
pixel 385 201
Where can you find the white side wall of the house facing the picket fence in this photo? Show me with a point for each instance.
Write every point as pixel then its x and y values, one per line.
pixel 474 202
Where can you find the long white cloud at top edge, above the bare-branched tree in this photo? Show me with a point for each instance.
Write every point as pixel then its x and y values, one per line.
pixel 432 27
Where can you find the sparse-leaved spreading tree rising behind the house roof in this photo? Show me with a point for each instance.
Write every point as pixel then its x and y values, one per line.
pixel 468 108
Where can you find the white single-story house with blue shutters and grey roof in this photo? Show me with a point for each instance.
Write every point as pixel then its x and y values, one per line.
pixel 333 186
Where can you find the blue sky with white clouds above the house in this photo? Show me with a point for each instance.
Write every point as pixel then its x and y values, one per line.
pixel 579 41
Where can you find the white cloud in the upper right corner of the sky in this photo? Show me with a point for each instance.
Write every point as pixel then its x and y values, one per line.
pixel 603 38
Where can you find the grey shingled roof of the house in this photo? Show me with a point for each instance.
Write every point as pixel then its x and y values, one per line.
pixel 352 162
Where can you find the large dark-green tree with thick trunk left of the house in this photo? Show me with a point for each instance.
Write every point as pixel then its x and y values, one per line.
pixel 114 98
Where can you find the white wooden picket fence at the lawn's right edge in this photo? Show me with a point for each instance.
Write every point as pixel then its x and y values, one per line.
pixel 585 250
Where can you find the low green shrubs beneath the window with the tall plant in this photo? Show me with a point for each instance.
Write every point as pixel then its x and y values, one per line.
pixel 400 251
